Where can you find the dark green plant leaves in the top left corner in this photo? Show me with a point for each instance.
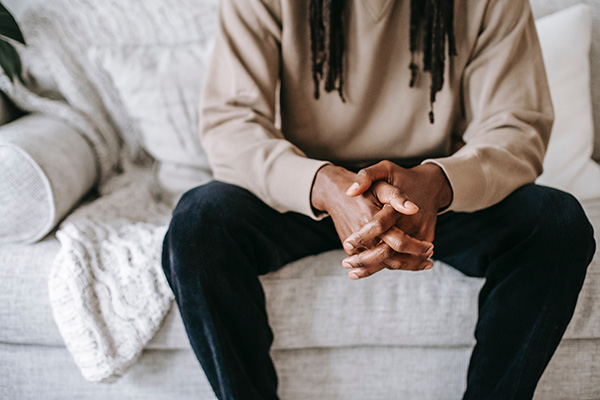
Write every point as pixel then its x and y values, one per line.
pixel 9 57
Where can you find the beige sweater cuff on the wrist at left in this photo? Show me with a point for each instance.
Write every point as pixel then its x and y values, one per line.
pixel 291 185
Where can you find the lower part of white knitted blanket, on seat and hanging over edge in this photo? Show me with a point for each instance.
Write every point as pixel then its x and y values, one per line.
pixel 107 289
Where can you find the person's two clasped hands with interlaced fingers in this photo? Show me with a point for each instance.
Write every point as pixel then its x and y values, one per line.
pixel 385 215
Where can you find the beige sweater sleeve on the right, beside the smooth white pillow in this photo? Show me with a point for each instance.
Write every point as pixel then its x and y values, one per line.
pixel 506 98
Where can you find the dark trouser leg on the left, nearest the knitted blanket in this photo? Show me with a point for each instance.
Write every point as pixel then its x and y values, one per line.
pixel 221 238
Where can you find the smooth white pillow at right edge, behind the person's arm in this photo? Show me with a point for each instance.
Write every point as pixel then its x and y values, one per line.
pixel 566 38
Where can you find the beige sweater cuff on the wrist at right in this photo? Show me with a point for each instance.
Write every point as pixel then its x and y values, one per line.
pixel 467 179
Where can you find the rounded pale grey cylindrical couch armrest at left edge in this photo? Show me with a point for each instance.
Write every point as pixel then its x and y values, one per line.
pixel 45 169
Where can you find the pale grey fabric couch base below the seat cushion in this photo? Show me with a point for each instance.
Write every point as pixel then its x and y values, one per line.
pixel 350 373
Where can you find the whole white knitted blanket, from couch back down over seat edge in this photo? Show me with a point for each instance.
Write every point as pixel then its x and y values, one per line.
pixel 107 289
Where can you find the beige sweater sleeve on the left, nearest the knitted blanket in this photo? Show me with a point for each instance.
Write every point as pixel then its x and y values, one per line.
pixel 238 110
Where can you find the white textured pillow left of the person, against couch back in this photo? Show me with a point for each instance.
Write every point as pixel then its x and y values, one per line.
pixel 160 87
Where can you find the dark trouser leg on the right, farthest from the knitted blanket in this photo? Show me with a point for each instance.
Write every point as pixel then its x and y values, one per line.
pixel 533 248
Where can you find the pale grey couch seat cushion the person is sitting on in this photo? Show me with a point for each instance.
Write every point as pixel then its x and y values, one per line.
pixel 311 303
